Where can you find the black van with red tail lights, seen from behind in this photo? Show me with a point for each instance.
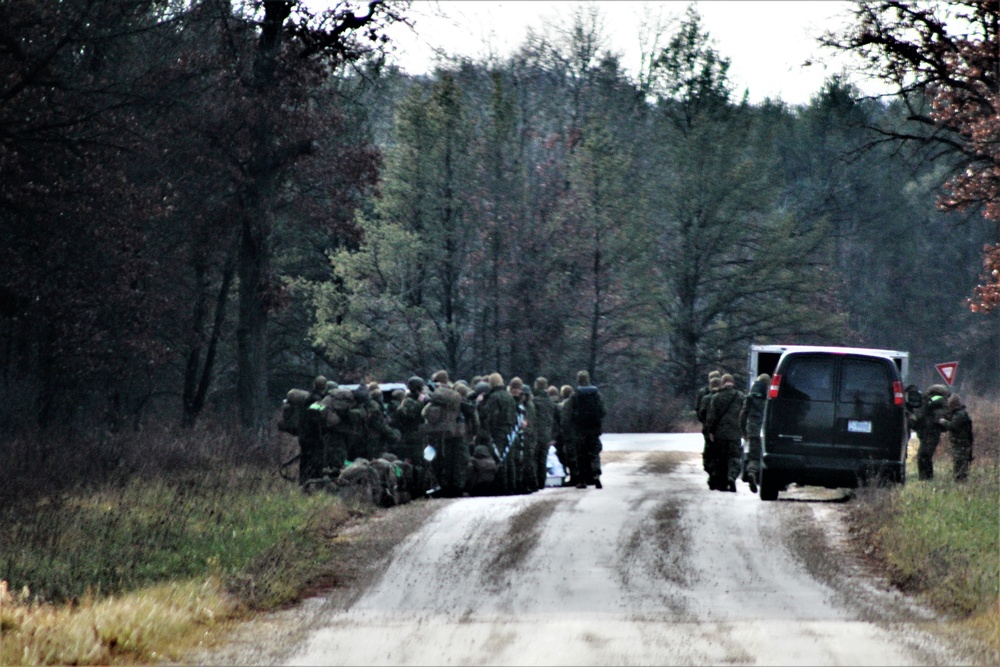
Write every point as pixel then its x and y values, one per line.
pixel 835 418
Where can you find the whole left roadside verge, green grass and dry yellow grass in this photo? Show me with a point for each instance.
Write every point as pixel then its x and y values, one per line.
pixel 148 570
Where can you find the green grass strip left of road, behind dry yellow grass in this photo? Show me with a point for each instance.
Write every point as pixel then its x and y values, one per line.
pixel 145 532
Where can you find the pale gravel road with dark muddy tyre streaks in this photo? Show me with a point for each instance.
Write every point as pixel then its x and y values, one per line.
pixel 653 569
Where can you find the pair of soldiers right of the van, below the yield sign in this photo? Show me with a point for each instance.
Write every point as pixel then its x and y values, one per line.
pixel 929 415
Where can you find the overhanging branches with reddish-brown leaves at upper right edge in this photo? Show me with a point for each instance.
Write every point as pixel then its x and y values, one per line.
pixel 948 55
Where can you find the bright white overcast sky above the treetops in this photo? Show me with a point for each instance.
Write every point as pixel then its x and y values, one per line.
pixel 768 41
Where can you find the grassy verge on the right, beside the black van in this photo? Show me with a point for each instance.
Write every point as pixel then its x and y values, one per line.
pixel 940 540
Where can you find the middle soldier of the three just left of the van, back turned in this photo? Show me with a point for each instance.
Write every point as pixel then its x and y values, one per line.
pixel 723 425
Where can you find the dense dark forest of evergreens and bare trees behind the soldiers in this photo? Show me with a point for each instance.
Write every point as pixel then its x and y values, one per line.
pixel 206 203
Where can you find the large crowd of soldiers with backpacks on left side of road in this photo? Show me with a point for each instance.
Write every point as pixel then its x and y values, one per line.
pixel 444 438
